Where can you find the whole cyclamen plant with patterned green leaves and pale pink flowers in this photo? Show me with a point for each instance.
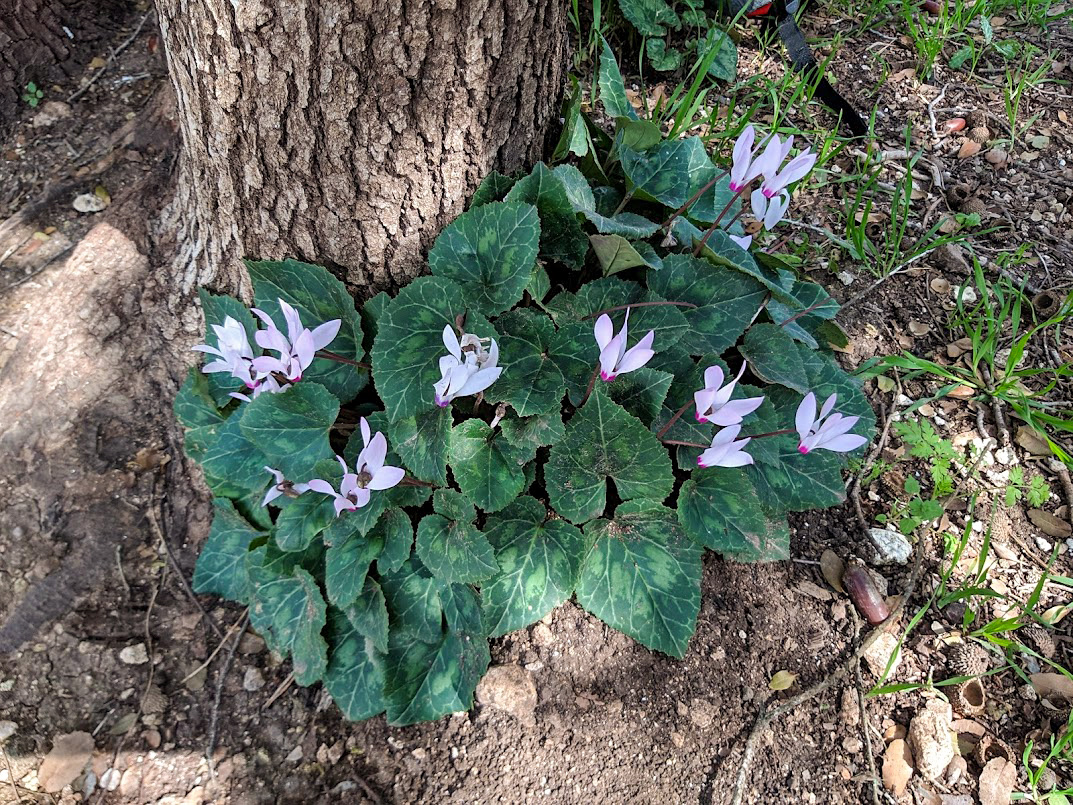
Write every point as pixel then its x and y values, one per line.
pixel 518 447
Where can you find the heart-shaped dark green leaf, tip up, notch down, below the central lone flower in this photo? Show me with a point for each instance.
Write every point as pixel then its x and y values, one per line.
pixel 605 443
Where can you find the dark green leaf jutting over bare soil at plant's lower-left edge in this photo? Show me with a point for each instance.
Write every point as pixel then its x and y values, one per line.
pixel 222 565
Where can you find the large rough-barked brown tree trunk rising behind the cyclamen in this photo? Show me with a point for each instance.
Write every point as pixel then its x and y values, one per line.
pixel 349 134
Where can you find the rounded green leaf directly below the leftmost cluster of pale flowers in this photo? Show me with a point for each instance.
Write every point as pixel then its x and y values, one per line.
pixel 291 428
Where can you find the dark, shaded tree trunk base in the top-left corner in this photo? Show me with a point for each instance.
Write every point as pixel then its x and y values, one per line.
pixel 45 41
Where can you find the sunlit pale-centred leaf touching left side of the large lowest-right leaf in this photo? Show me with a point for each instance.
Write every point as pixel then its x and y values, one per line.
pixel 539 560
